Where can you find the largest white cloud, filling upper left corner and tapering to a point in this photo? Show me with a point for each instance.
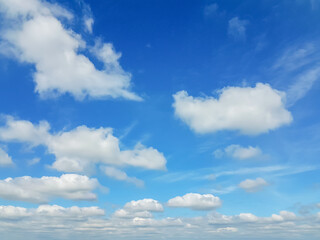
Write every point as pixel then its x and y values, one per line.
pixel 35 34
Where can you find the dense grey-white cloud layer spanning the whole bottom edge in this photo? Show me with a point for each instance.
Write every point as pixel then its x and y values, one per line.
pixel 57 222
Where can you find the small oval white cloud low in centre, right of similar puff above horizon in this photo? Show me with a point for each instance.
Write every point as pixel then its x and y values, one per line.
pixel 196 201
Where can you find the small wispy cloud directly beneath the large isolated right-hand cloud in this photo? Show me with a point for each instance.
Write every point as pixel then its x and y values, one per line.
pixel 239 152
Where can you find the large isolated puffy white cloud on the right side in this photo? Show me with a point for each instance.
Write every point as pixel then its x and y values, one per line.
pixel 251 110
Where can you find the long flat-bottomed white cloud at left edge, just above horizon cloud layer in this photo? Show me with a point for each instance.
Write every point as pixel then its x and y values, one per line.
pixel 41 190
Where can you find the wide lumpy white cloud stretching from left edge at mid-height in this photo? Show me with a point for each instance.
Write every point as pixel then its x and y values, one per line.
pixel 80 149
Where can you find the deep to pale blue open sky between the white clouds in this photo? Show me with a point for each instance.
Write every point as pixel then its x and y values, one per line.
pixel 170 46
